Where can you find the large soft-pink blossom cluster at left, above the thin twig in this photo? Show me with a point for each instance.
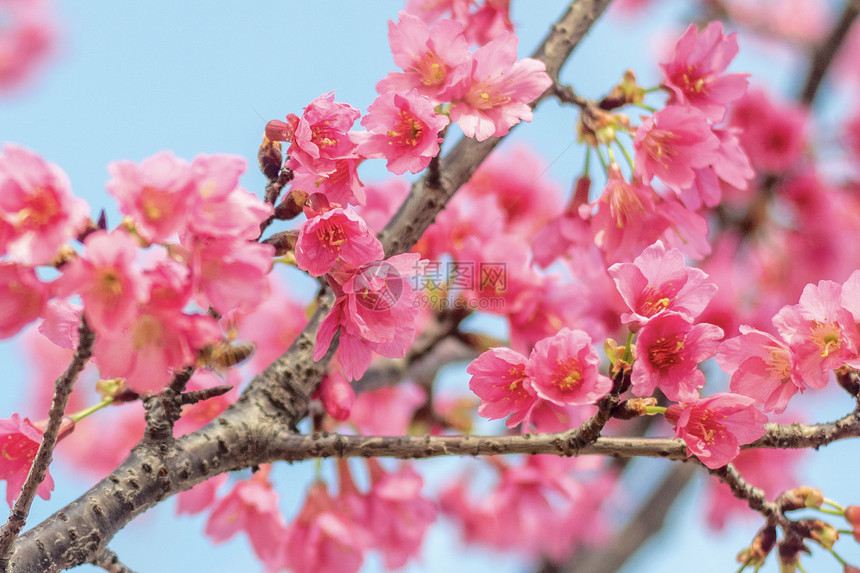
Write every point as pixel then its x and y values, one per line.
pixel 143 314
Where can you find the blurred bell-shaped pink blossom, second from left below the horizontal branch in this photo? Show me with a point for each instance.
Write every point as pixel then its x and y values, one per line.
pixel 252 507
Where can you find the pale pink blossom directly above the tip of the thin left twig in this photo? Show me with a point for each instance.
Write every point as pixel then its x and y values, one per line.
pixel 108 281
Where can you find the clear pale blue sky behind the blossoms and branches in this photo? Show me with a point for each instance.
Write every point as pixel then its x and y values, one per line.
pixel 135 78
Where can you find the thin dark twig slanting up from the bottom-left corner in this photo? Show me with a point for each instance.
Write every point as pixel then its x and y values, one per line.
pixel 39 469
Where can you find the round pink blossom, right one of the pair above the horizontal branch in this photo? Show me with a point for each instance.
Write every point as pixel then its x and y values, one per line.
pixel 563 369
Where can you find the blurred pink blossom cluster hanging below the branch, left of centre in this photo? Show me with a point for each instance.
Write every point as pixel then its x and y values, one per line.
pixel 329 534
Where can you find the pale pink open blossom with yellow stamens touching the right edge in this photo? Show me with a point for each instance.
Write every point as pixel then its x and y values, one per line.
pixel 820 331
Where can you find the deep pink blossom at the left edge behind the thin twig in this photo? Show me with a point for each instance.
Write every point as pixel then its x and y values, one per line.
pixel 19 441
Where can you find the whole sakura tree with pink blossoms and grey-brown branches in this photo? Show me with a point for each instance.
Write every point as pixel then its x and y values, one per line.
pixel 690 306
